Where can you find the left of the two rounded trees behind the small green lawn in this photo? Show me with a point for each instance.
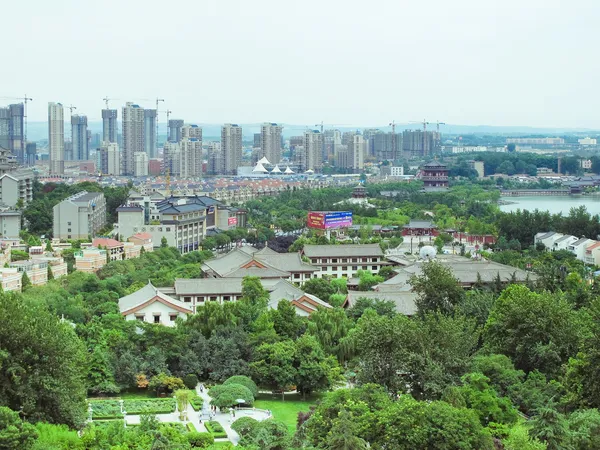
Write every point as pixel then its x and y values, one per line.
pixel 273 366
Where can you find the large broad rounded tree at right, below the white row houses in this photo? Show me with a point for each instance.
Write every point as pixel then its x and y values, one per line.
pixel 537 331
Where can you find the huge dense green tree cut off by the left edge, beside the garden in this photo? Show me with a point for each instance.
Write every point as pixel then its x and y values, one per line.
pixel 51 387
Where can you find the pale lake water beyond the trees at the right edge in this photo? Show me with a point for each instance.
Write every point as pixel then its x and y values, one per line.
pixel 559 204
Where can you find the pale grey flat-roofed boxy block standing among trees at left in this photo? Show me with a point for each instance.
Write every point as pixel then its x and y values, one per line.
pixel 79 216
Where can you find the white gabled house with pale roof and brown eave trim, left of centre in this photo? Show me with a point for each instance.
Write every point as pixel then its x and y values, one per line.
pixel 148 304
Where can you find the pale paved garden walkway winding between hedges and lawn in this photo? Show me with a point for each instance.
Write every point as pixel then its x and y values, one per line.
pixel 224 418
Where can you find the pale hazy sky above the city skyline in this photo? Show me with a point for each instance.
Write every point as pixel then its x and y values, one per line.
pixel 508 62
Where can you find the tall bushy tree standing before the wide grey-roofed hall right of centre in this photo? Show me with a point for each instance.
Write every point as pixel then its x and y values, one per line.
pixel 437 289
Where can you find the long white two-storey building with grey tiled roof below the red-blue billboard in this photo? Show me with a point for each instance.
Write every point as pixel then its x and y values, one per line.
pixel 340 261
